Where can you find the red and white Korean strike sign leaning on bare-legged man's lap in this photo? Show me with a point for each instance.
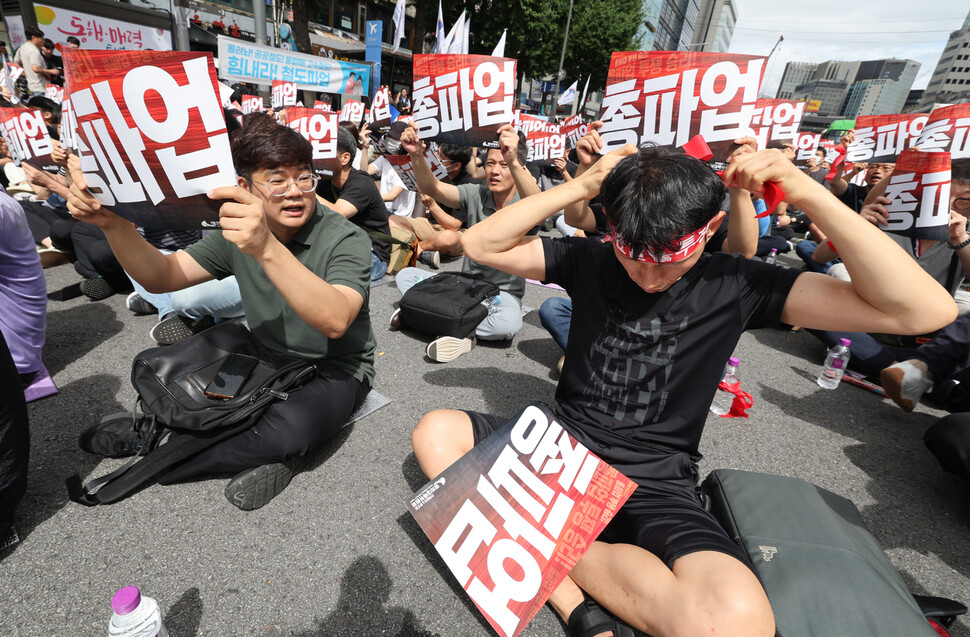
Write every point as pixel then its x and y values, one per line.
pixel 513 516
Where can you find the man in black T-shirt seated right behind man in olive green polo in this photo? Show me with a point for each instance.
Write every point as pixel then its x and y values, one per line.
pixel 354 195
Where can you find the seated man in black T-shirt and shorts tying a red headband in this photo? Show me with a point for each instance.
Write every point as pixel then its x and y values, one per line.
pixel 654 319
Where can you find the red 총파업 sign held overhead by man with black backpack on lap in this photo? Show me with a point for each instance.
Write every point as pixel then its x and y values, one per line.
pixel 463 99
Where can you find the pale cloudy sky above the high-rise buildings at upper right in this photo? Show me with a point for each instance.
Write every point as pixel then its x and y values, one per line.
pixel 820 30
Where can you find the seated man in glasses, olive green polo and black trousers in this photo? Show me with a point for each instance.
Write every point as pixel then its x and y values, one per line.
pixel 304 277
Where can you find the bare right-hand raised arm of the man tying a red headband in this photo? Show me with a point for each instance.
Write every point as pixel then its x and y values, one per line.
pixel 889 292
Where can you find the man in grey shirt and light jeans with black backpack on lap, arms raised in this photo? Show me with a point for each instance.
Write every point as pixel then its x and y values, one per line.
pixel 507 180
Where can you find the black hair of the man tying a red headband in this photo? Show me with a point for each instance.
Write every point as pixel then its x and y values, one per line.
pixel 656 196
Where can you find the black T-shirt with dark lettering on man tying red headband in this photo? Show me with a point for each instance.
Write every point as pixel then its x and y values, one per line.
pixel 641 369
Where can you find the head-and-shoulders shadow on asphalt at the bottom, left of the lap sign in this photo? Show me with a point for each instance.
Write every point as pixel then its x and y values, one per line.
pixel 362 608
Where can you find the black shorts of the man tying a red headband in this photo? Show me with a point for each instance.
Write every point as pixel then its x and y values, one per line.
pixel 663 517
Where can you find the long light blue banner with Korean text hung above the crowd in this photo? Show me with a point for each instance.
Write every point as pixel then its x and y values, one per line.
pixel 241 61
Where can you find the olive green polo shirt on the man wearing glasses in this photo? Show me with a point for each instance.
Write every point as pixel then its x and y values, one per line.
pixel 332 248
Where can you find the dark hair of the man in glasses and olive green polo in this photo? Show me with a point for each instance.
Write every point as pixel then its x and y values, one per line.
pixel 263 144
